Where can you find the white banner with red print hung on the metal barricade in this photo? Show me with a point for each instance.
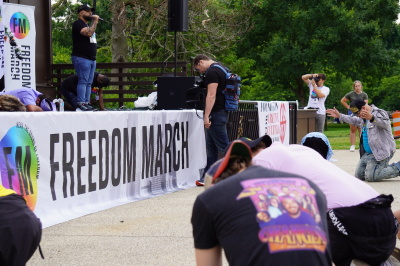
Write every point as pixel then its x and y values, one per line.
pixel 273 119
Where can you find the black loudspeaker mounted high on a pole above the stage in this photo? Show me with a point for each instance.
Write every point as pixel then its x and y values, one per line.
pixel 177 15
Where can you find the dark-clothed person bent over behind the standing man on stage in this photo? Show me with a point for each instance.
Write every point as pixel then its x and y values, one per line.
pixel 69 89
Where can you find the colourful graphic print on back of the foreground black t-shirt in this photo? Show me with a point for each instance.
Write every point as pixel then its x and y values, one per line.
pixel 287 213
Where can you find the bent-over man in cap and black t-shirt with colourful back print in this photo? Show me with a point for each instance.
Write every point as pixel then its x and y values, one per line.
pixel 228 216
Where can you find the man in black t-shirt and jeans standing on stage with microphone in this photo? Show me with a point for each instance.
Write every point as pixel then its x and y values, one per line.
pixel 84 46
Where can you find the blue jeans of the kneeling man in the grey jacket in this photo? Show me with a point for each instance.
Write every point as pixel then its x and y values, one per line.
pixel 371 170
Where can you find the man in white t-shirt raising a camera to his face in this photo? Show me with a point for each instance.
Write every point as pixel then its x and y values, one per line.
pixel 318 95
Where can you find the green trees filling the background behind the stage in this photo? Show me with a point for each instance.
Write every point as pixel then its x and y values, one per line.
pixel 270 43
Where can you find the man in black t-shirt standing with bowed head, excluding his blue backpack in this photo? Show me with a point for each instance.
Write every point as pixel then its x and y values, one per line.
pixel 215 117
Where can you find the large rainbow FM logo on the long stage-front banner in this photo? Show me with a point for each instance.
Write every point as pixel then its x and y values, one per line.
pixel 19 164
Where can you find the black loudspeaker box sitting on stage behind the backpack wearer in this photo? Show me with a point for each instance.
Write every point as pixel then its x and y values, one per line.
pixel 171 92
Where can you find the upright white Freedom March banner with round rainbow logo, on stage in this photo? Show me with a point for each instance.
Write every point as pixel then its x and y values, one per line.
pixel 19 47
